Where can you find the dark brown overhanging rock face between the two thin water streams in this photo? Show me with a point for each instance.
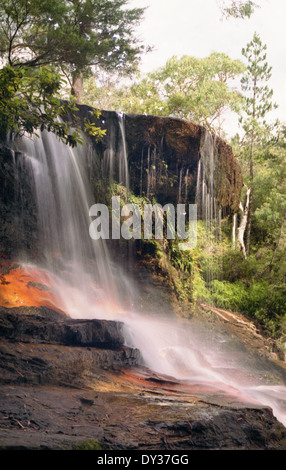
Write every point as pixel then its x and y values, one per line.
pixel 163 155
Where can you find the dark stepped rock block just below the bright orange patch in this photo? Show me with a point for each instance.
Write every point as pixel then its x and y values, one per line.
pixel 41 346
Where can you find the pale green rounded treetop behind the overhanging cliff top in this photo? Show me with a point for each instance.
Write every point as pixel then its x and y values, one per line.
pixel 188 88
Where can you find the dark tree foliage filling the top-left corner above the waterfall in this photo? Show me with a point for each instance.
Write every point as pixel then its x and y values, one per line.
pixel 43 41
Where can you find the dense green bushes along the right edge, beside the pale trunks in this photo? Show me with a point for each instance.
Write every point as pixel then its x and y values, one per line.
pixel 256 285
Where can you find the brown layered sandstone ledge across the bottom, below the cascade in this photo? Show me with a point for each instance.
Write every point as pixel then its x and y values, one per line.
pixel 65 382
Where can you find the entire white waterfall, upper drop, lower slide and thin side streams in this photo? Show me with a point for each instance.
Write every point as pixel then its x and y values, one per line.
pixel 87 280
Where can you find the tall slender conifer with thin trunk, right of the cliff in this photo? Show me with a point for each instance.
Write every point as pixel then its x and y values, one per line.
pixel 257 103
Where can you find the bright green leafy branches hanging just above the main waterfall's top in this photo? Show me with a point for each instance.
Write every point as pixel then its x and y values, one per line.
pixel 29 101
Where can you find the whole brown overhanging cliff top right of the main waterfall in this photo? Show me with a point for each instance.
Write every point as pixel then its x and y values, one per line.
pixel 163 157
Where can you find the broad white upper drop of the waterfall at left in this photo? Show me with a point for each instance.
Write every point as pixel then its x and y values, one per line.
pixel 79 267
